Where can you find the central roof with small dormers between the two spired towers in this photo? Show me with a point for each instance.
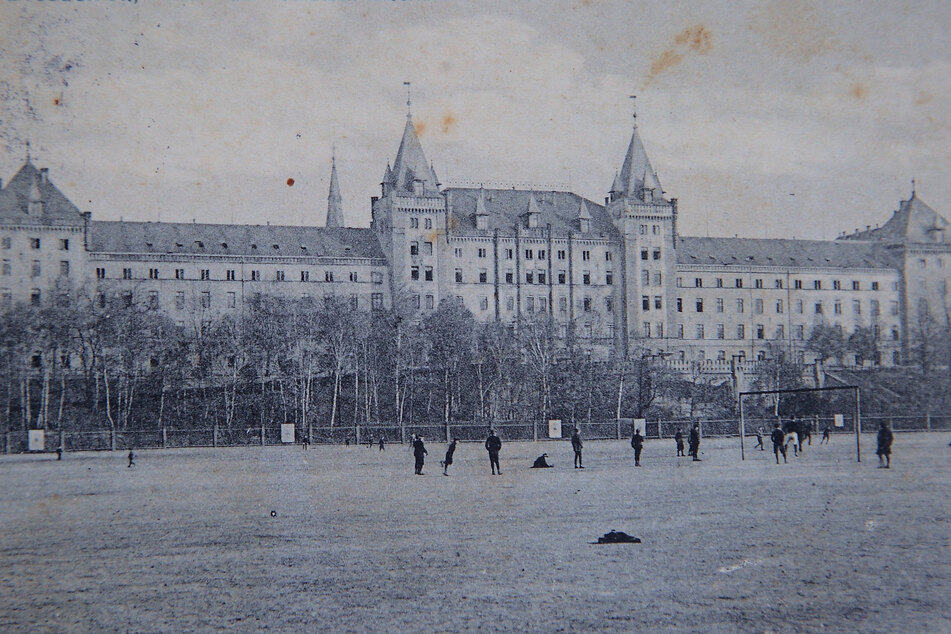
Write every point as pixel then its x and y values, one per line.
pixel 506 208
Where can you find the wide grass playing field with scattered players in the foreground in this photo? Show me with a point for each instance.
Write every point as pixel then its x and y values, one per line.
pixel 186 540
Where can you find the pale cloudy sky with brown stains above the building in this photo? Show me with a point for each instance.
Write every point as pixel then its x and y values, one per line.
pixel 765 119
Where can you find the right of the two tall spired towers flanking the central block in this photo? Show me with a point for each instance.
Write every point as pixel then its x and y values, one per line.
pixel 648 223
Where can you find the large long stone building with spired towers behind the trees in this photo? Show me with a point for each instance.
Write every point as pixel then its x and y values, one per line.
pixel 617 273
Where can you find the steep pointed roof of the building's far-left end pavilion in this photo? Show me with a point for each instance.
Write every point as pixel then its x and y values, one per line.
pixel 28 184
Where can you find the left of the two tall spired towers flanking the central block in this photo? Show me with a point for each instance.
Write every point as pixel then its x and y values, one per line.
pixel 409 218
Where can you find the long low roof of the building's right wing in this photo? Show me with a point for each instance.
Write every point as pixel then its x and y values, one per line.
pixel 744 252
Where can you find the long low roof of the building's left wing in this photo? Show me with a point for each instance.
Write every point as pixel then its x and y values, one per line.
pixel 237 240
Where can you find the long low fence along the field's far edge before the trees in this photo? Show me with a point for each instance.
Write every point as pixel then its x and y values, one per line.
pixel 370 434
